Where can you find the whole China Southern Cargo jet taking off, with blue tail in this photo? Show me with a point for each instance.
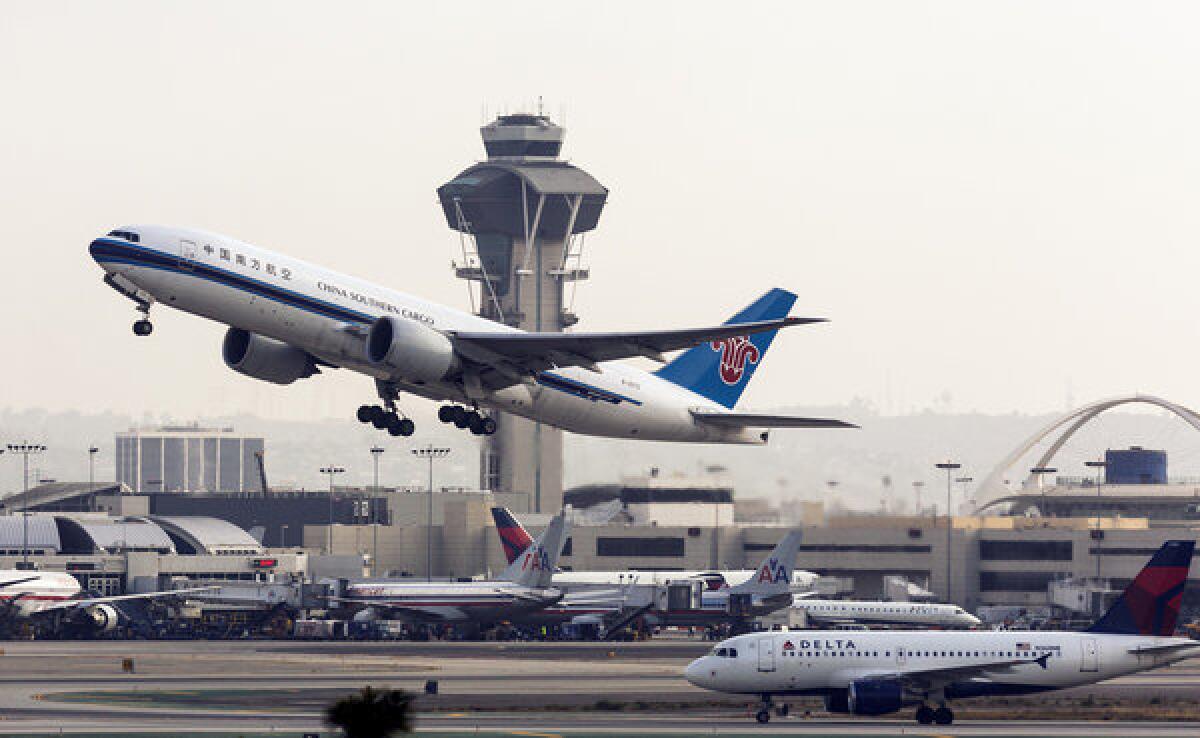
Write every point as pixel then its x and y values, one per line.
pixel 289 320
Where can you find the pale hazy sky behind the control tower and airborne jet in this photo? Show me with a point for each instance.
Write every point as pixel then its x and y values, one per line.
pixel 995 203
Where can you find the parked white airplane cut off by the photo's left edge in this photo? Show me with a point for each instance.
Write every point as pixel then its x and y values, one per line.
pixel 55 599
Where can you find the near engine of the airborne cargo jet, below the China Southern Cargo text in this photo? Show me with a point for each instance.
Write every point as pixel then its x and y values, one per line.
pixel 411 351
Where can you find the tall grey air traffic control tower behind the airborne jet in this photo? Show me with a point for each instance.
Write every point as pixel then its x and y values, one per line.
pixel 523 217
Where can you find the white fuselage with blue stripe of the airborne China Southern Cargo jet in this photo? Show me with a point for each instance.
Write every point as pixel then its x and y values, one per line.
pixel 327 316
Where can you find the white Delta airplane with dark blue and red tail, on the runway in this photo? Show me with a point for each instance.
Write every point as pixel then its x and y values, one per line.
pixel 880 673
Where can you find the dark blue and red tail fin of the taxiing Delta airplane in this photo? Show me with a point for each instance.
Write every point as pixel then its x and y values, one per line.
pixel 1150 605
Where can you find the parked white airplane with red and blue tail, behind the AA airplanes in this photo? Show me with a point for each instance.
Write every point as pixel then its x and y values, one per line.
pixel 517 539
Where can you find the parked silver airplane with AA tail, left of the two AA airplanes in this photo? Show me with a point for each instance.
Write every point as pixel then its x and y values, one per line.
pixel 524 587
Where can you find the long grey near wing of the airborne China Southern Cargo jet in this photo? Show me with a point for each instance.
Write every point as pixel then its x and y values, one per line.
pixel 543 351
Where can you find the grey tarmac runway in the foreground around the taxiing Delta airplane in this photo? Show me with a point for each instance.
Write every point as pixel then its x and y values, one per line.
pixel 502 689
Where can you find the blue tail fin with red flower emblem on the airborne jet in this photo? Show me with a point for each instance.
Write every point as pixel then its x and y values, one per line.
pixel 722 370
